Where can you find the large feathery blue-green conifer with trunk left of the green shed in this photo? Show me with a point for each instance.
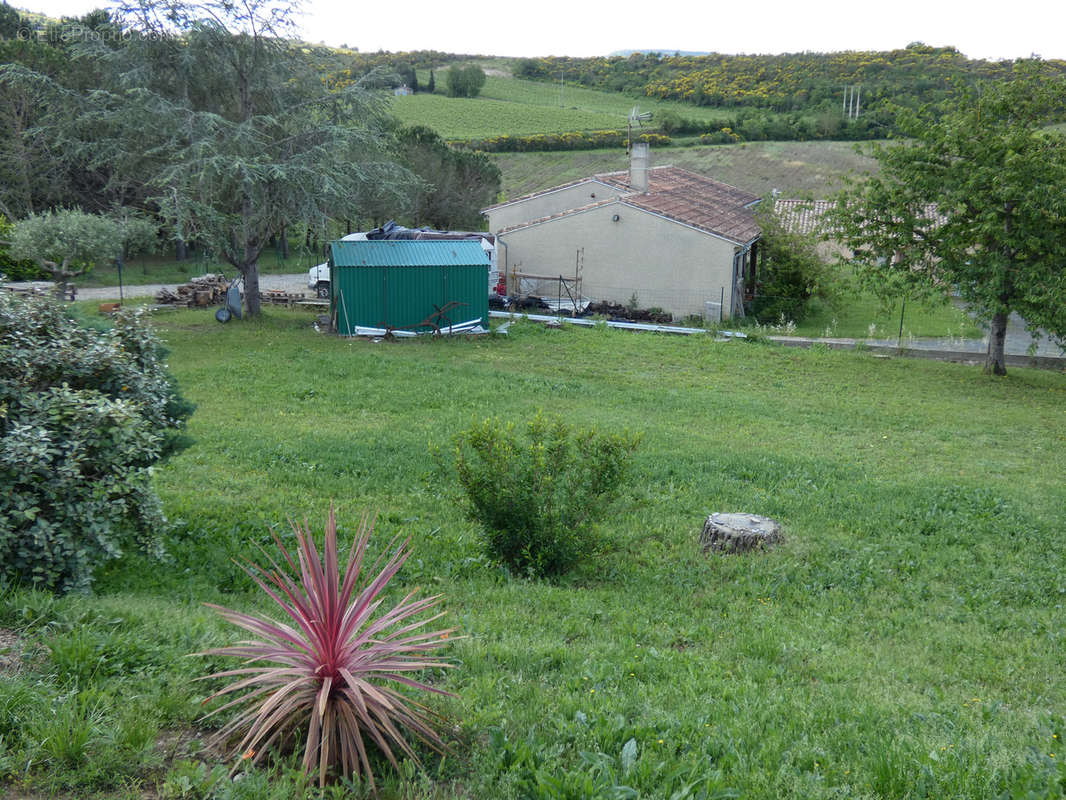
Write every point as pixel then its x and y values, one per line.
pixel 233 133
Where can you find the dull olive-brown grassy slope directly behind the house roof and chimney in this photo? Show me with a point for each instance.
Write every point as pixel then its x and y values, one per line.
pixel 798 169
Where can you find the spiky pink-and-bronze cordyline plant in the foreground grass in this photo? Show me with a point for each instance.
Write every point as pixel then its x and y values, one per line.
pixel 328 665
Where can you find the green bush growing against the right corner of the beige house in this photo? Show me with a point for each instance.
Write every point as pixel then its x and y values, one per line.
pixel 790 273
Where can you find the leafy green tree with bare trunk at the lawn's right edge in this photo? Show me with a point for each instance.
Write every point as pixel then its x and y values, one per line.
pixel 972 203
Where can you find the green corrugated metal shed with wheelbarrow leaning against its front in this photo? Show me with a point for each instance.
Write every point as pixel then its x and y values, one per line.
pixel 408 285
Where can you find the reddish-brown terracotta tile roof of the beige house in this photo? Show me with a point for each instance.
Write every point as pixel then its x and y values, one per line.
pixel 676 195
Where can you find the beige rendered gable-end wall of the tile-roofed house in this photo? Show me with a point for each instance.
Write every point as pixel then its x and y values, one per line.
pixel 664 263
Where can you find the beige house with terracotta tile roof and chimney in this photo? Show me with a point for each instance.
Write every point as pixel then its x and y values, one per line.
pixel 665 237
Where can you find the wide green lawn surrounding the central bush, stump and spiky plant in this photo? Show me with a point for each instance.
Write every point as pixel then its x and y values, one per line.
pixel 906 642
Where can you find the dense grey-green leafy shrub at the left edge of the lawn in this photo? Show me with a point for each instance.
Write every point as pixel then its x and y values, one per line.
pixel 84 418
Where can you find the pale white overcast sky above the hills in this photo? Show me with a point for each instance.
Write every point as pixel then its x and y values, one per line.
pixel 979 28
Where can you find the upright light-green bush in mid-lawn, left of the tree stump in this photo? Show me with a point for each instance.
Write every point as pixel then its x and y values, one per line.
pixel 538 497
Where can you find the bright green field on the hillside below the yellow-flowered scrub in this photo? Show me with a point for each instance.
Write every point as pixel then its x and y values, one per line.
pixel 518 107
